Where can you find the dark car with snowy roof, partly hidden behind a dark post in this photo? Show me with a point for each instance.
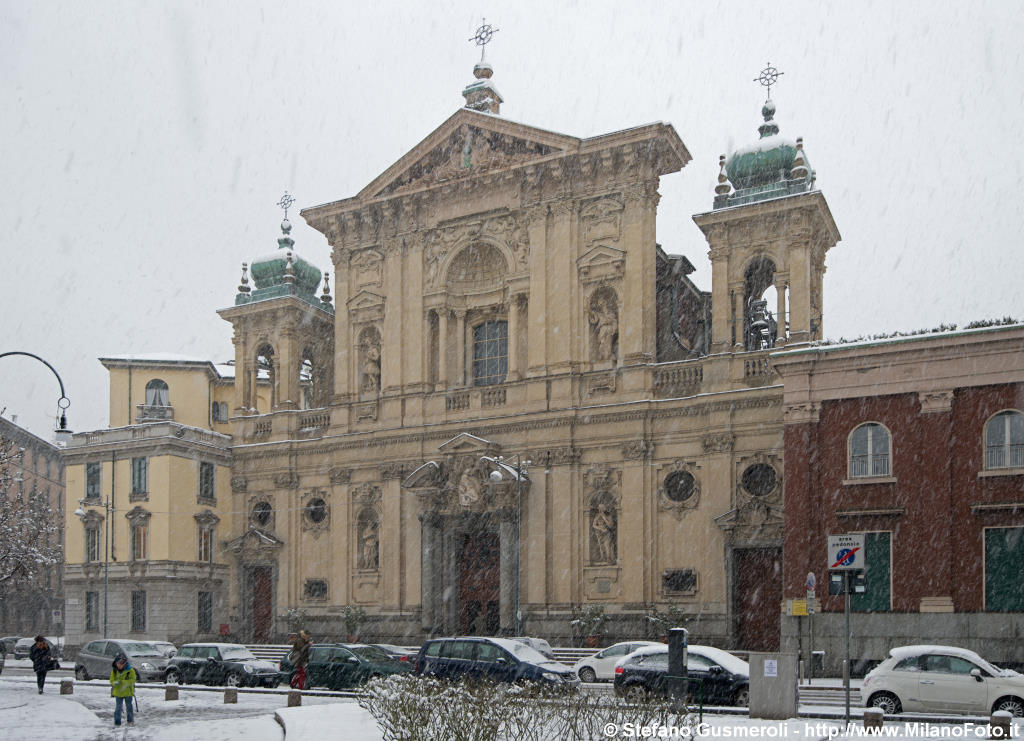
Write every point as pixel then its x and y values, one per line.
pixel 723 679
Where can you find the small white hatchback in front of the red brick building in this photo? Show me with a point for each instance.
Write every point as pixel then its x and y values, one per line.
pixel 942 679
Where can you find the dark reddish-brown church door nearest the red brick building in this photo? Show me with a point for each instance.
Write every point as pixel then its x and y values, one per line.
pixel 757 595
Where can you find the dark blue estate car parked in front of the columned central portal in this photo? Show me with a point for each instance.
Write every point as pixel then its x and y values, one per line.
pixel 491 659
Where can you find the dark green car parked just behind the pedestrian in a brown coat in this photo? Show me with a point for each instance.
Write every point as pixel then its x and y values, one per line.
pixel 343 667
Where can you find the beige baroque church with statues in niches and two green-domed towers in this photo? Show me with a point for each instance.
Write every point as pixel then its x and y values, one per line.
pixel 519 405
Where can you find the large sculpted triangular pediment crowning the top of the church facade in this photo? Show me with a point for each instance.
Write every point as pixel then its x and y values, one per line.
pixel 470 144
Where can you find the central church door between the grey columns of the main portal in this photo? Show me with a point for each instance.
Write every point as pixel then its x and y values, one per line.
pixel 480 579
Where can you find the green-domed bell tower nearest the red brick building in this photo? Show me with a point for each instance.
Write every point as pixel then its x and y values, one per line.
pixel 769 234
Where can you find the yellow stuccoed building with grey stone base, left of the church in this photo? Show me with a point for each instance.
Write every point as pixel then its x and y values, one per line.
pixel 148 504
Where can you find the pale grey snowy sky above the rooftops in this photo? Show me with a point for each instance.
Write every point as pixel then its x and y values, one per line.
pixel 145 147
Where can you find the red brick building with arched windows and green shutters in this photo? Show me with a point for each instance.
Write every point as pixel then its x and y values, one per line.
pixel 919 444
